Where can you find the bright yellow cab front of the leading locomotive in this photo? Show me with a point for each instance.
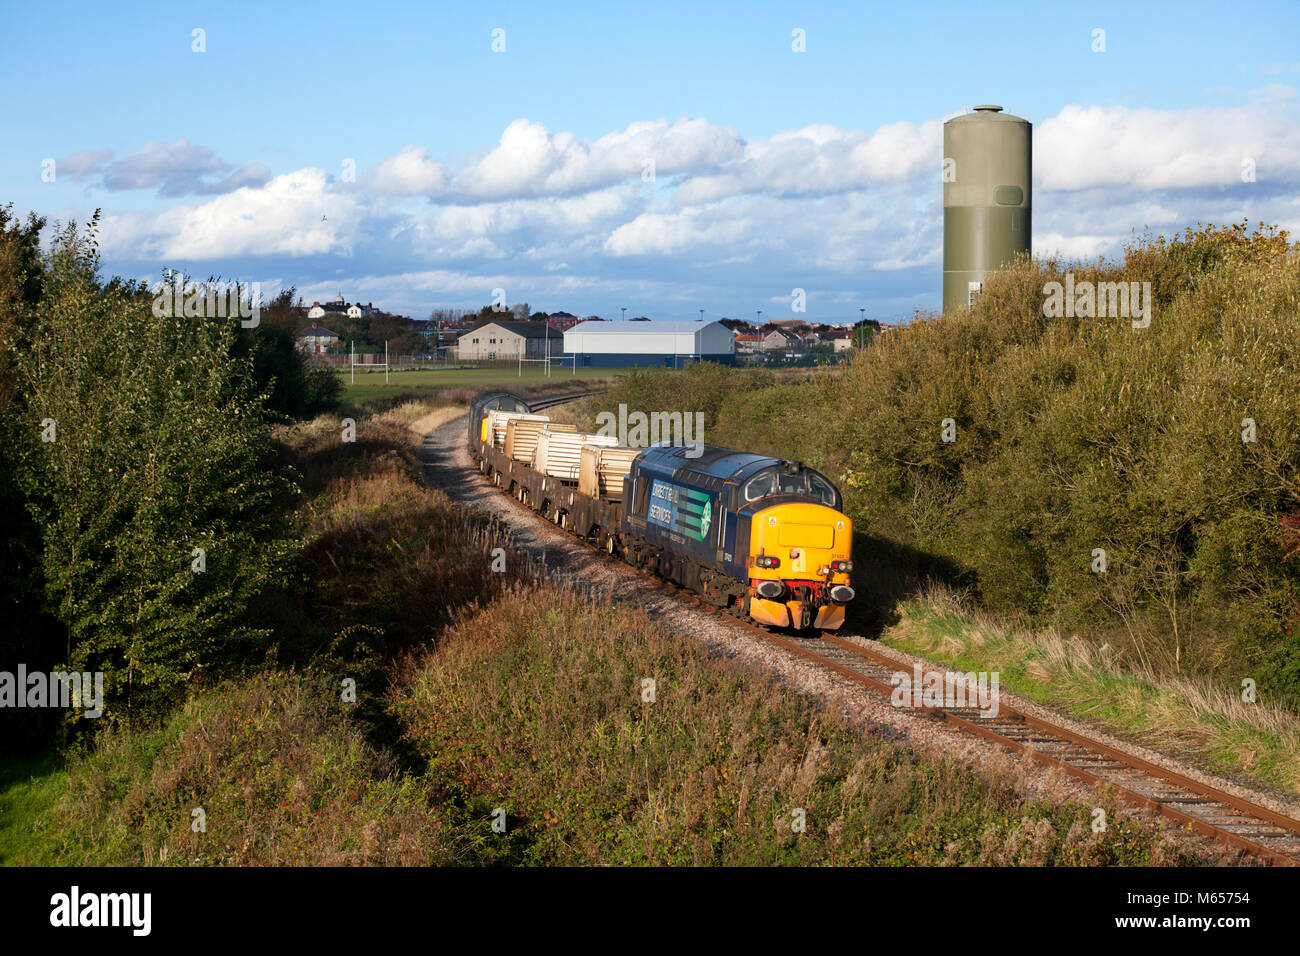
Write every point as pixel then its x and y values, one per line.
pixel 799 566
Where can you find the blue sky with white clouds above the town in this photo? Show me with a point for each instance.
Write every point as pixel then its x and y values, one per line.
pixel 661 158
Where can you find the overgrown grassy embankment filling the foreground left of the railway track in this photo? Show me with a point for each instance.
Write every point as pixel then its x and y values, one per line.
pixel 482 691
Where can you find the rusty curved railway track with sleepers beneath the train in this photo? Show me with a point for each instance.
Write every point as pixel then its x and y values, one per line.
pixel 1249 827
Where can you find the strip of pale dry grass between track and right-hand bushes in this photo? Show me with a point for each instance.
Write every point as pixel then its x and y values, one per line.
pixel 1185 716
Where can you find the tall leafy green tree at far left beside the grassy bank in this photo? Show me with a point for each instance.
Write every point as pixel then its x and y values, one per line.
pixel 145 460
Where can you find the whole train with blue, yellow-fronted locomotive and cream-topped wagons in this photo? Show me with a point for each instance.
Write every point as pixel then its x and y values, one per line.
pixel 762 538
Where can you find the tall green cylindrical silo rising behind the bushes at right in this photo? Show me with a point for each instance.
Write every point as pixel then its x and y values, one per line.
pixel 989 159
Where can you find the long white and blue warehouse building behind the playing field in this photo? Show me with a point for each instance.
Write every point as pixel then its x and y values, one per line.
pixel 645 344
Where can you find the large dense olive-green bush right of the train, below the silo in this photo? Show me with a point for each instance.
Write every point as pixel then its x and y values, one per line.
pixel 1087 434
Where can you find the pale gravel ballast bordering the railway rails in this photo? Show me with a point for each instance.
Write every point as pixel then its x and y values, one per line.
pixel 449 469
